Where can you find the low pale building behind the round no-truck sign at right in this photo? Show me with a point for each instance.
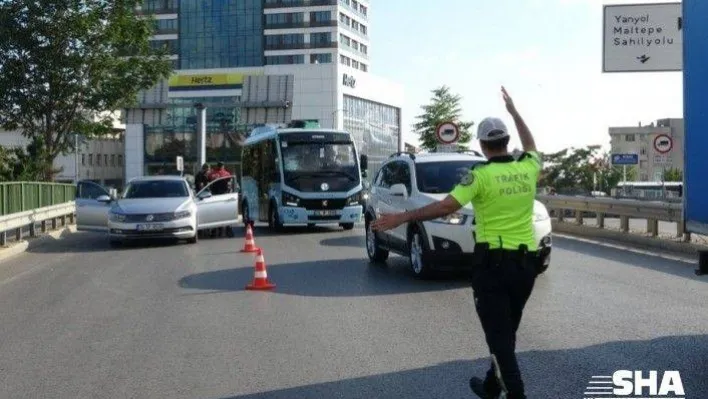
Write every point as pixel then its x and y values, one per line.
pixel 640 140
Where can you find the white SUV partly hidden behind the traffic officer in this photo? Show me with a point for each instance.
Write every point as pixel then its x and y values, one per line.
pixel 408 181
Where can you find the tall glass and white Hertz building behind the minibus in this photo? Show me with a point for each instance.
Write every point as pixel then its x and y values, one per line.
pixel 250 62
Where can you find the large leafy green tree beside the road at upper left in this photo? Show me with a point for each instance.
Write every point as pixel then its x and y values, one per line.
pixel 65 63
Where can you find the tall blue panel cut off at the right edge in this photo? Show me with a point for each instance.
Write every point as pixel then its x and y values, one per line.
pixel 695 91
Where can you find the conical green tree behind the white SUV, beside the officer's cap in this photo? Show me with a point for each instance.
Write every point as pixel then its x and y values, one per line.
pixel 444 107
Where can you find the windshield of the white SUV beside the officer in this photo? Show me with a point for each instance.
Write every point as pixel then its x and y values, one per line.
pixel 441 177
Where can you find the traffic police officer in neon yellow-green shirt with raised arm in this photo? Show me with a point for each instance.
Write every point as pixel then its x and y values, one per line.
pixel 502 192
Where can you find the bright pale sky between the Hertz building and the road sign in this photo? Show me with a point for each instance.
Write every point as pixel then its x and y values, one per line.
pixel 548 54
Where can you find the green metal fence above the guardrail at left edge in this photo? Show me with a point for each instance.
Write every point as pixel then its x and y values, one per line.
pixel 25 196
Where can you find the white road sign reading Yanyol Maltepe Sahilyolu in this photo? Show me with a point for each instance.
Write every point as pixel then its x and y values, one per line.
pixel 643 38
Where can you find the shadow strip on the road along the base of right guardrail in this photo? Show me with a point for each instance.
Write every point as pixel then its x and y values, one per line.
pixel 646 261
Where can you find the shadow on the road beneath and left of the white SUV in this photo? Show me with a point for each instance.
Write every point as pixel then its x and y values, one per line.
pixel 330 278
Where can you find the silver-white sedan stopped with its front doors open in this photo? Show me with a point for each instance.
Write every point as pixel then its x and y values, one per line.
pixel 156 207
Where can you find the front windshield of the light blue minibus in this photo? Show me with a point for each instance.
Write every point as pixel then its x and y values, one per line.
pixel 306 165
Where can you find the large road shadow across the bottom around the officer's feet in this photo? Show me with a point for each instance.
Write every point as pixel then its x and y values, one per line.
pixel 552 374
